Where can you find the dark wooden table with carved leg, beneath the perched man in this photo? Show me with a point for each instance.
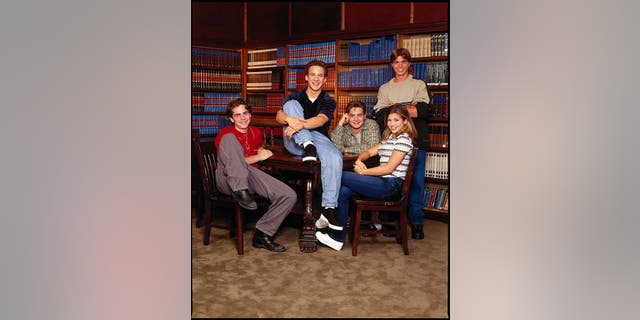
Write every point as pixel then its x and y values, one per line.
pixel 282 161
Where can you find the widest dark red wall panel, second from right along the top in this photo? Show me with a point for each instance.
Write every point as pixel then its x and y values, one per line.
pixel 370 16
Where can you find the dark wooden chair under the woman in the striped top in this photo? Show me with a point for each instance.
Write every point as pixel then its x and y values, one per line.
pixel 399 204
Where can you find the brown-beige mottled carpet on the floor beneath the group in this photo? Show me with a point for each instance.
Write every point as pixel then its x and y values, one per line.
pixel 379 282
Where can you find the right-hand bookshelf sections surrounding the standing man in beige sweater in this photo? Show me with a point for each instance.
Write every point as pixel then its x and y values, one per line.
pixel 363 66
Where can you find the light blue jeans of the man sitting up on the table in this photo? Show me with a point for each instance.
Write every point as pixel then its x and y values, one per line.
pixel 329 156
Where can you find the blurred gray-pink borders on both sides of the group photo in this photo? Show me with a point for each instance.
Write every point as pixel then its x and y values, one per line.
pixel 95 174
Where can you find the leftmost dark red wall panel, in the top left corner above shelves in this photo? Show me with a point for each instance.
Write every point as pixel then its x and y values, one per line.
pixel 217 24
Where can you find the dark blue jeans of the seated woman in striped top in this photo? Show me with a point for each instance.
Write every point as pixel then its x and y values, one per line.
pixel 368 186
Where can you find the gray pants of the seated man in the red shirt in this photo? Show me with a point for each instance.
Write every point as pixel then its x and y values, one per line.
pixel 233 173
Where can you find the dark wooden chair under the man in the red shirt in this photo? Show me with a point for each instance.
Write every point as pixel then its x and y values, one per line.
pixel 206 154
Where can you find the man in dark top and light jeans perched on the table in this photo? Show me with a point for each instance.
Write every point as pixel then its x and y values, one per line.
pixel 306 116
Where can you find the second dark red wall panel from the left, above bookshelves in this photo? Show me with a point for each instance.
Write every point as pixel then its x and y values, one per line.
pixel 267 23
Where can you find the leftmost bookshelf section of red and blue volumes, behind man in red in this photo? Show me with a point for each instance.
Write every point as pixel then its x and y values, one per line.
pixel 216 79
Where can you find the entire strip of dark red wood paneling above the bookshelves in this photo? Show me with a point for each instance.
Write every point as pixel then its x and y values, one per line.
pixel 221 24
